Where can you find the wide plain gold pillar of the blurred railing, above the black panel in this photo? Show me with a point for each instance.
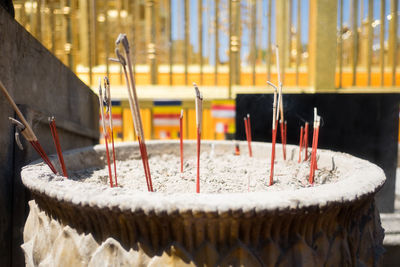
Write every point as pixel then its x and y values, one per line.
pixel 322 44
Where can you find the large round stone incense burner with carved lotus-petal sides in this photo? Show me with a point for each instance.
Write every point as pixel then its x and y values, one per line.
pixel 334 224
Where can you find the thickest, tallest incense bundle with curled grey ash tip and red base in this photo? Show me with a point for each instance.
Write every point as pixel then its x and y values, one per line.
pixel 134 103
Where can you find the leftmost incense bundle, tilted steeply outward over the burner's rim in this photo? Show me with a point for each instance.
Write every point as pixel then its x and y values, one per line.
pixel 26 130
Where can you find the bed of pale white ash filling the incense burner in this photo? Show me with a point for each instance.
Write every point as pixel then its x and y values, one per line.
pixel 218 174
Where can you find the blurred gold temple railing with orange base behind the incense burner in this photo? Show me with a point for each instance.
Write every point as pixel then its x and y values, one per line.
pixel 224 43
